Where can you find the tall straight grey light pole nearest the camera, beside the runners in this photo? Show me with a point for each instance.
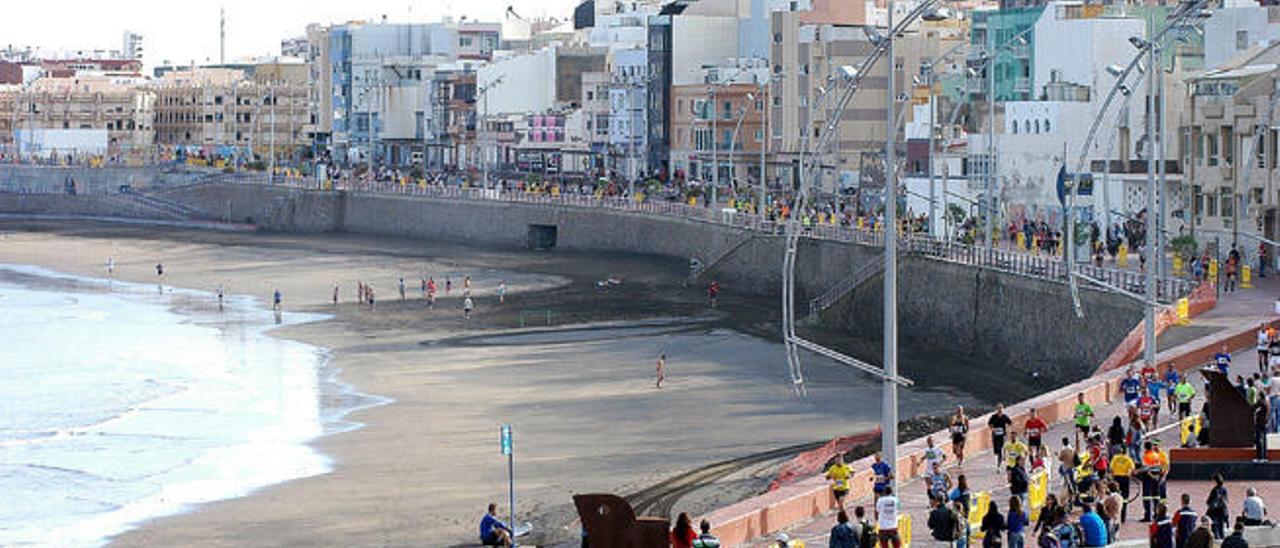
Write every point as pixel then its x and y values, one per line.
pixel 889 409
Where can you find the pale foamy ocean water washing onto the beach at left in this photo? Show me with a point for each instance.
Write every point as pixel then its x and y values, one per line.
pixel 121 403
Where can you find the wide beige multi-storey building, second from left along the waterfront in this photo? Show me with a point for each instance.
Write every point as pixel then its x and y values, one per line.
pixel 213 109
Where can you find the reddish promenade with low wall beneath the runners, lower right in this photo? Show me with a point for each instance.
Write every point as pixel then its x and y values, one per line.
pixel 1233 322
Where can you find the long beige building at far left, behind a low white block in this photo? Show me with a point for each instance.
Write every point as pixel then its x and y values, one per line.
pixel 120 107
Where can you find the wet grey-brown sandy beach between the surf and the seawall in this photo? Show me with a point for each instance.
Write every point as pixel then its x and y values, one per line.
pixel 586 412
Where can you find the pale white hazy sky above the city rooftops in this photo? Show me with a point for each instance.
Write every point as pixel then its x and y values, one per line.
pixel 185 31
